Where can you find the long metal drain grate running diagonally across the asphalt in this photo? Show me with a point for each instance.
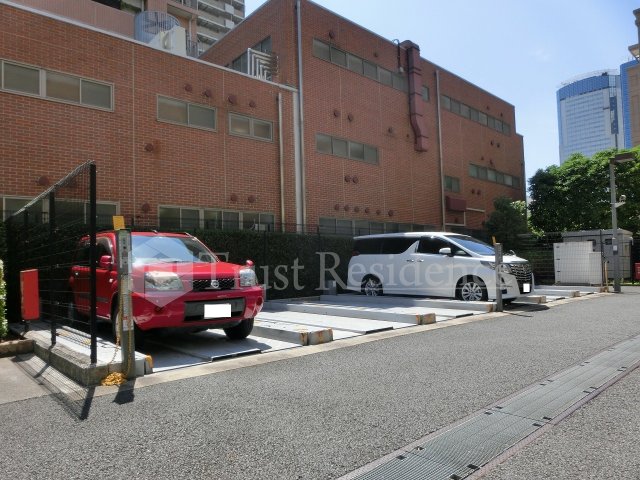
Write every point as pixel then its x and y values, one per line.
pixel 460 451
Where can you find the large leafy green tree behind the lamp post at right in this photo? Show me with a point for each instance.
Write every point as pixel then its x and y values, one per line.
pixel 576 196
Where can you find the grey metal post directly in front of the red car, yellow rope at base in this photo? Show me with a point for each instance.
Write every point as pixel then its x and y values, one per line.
pixel 125 312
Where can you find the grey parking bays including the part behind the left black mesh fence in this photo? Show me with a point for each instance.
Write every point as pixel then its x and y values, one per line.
pixel 282 325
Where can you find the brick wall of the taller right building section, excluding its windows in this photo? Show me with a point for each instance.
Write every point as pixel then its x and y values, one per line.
pixel 405 186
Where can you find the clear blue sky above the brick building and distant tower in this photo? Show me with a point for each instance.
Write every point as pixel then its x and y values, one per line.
pixel 519 50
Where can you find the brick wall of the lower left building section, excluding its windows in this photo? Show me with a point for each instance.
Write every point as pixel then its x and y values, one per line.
pixel 185 166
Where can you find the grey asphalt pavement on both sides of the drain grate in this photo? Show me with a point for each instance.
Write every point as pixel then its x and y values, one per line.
pixel 322 412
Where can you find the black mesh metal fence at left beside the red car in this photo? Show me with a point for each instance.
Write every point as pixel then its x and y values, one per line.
pixel 43 236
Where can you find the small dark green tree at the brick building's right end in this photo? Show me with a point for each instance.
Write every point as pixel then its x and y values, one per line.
pixel 507 221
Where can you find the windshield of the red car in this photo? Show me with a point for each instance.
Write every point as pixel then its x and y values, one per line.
pixel 158 249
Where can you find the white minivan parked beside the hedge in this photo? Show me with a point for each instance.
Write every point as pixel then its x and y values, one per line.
pixel 435 264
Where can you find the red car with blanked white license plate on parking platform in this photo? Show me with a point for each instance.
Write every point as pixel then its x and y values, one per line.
pixel 177 283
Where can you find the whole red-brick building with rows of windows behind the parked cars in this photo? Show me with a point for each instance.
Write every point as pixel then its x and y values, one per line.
pixel 325 124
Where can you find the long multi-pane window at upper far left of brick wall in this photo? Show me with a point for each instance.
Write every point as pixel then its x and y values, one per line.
pixel 56 86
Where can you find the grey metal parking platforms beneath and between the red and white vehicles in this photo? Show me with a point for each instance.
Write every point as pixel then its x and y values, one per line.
pixel 288 324
